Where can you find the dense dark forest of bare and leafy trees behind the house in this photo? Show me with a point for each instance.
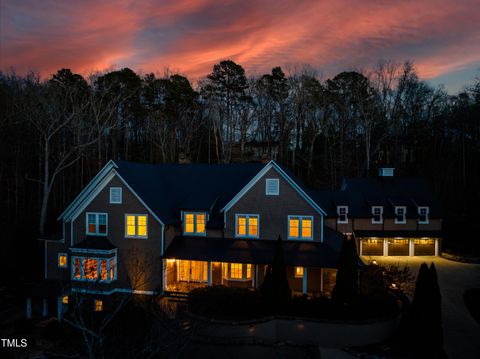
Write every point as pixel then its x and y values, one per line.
pixel 57 132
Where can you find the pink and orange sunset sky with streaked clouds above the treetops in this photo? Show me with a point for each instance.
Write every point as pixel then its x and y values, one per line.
pixel 442 37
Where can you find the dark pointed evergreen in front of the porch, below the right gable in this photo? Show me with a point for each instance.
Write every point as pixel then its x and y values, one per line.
pixel 275 288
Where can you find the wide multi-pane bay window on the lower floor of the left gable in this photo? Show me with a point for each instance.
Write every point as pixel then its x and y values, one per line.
pixel 94 269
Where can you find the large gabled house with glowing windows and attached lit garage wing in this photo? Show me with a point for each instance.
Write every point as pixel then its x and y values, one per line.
pixel 168 228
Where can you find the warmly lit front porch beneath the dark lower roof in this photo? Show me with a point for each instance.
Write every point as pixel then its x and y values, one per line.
pixel 182 276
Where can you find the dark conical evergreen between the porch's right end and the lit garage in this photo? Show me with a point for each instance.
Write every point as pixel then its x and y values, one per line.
pixel 346 286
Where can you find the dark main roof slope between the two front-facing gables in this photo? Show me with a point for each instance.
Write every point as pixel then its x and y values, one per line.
pixel 169 188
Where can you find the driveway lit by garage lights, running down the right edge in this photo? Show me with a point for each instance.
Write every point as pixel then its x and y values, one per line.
pixel 461 332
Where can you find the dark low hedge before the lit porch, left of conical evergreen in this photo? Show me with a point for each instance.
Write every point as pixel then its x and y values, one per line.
pixel 226 303
